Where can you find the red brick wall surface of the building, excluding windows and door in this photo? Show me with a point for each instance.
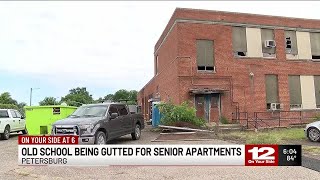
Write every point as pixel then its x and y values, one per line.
pixel 178 69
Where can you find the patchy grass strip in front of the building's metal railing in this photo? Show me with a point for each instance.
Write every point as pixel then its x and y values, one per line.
pixel 275 136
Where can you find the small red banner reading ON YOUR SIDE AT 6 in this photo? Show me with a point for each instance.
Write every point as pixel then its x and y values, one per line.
pixel 48 140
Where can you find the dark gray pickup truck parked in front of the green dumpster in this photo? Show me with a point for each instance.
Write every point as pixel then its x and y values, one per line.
pixel 99 123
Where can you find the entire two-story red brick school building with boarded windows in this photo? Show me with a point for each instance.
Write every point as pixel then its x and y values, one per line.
pixel 227 63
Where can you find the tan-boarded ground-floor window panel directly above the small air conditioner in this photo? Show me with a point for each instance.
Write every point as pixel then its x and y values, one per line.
pixel 272 88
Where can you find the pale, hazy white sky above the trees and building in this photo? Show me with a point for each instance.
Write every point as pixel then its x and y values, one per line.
pixel 102 45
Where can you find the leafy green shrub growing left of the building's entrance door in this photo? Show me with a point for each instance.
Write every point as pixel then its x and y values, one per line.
pixel 172 114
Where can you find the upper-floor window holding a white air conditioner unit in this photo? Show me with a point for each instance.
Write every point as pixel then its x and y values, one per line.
pixel 267 35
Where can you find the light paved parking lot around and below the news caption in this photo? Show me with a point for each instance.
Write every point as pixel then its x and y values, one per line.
pixel 10 170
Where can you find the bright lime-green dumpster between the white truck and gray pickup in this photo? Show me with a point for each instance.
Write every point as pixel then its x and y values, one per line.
pixel 40 118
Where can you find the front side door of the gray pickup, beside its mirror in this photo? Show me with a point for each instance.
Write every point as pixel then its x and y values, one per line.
pixel 115 125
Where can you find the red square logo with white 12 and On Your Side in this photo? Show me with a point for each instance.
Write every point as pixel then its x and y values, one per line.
pixel 261 155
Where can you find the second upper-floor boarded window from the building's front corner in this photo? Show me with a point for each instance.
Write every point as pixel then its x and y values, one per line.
pixel 239 41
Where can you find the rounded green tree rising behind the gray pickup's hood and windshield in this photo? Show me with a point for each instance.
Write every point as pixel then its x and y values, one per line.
pixel 77 97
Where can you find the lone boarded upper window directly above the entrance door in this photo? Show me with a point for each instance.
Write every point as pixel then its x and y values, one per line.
pixel 205 55
